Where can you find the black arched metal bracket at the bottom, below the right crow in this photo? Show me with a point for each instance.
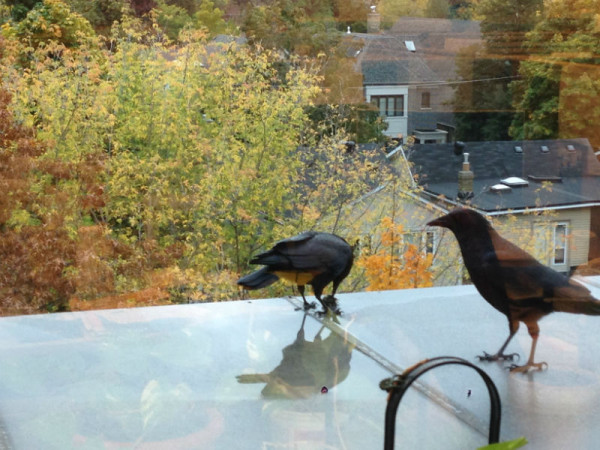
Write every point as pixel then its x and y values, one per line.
pixel 397 385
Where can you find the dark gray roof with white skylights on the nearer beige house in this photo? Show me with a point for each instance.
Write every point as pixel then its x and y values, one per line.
pixel 574 173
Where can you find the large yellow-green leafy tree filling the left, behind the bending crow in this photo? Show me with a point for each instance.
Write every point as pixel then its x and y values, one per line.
pixel 171 164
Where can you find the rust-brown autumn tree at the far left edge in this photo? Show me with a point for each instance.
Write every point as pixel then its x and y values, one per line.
pixel 46 206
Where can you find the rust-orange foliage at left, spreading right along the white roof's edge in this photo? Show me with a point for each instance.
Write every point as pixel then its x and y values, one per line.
pixel 48 253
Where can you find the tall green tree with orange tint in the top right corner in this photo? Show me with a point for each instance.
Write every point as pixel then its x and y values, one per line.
pixel 560 78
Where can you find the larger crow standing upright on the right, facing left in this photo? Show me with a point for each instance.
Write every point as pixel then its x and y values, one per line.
pixel 512 281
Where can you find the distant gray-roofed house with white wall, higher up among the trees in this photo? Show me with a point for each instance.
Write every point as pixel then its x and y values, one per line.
pixel 409 72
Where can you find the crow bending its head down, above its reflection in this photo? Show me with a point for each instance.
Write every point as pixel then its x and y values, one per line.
pixel 310 258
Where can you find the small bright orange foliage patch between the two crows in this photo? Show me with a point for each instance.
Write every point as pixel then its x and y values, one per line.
pixel 388 269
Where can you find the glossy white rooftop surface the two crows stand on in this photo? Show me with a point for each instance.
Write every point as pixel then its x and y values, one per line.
pixel 169 377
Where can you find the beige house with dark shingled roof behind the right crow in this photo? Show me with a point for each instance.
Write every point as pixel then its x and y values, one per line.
pixel 550 190
